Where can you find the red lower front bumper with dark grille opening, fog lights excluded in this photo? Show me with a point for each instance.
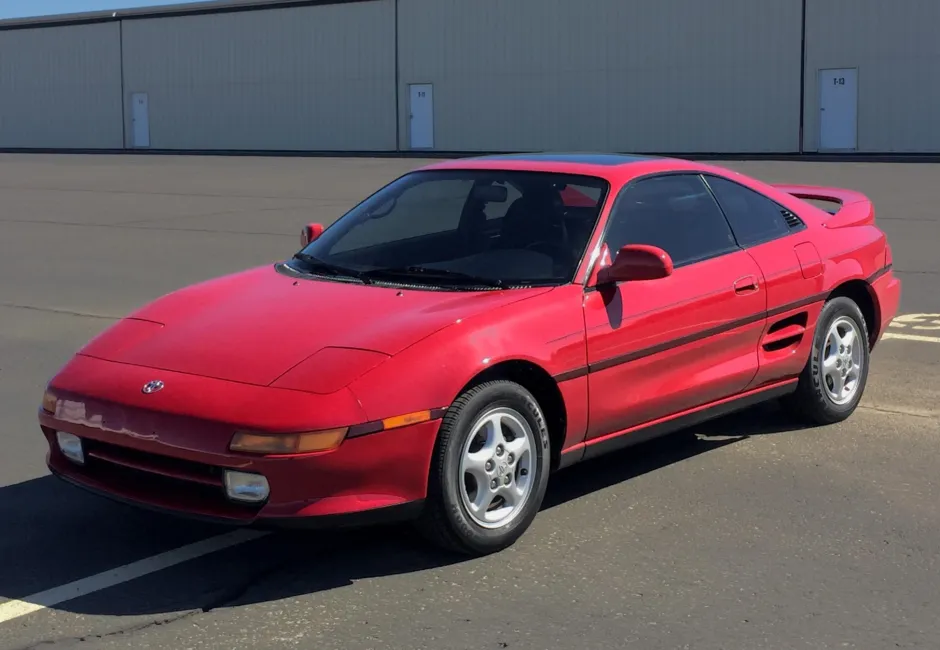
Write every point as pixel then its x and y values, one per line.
pixel 381 477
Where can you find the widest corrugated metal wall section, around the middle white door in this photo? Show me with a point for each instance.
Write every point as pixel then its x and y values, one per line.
pixel 665 76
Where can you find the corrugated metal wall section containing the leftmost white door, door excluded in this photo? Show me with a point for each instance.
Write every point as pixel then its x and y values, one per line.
pixel 312 78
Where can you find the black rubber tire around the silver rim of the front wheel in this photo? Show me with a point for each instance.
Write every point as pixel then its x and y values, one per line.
pixel 446 521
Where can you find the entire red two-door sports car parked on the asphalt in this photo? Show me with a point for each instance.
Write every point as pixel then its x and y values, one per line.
pixel 472 327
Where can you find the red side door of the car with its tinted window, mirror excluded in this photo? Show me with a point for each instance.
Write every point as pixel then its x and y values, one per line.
pixel 660 347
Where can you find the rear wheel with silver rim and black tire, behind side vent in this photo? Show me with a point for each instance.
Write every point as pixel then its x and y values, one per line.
pixel 834 379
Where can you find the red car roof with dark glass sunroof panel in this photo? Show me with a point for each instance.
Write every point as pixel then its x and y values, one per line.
pixel 603 165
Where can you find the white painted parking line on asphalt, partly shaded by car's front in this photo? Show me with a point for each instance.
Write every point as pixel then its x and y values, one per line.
pixel 16 608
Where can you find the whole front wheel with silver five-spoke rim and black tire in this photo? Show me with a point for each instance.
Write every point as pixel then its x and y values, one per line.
pixel 490 469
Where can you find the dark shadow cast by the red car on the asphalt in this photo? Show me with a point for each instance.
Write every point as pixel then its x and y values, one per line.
pixel 59 534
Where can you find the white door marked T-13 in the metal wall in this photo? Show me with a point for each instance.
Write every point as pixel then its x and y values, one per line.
pixel 838 109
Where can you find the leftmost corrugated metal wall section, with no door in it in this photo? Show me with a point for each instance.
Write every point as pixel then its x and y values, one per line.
pixel 60 87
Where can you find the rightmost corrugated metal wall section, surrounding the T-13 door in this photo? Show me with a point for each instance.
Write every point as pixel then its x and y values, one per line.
pixel 895 47
